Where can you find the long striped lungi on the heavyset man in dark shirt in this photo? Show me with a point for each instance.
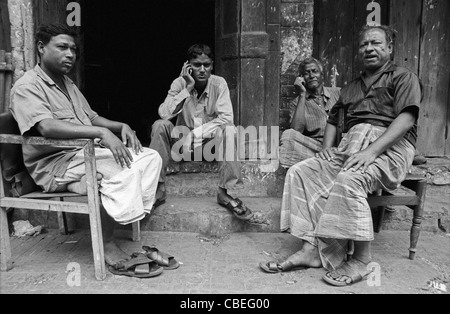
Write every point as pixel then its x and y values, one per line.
pixel 327 207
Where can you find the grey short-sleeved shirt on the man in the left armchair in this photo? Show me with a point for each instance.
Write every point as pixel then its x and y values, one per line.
pixel 34 98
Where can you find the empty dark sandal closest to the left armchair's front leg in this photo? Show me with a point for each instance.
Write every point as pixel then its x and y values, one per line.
pixel 139 266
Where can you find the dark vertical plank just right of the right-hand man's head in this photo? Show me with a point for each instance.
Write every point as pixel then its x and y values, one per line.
pixel 407 48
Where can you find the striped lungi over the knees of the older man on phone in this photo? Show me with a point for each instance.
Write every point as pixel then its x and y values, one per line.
pixel 296 147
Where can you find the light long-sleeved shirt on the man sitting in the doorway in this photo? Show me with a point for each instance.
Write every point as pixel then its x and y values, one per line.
pixel 204 114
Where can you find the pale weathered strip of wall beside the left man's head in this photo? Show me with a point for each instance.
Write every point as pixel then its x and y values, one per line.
pixel 22 35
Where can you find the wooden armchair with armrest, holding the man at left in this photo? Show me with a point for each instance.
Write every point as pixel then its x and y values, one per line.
pixel 11 164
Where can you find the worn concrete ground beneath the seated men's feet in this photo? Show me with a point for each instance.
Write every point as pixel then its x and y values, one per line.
pixel 225 265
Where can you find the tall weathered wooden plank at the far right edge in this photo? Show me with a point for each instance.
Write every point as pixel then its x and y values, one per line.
pixel 435 76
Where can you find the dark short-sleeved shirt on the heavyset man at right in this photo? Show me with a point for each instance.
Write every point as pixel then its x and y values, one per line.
pixel 394 90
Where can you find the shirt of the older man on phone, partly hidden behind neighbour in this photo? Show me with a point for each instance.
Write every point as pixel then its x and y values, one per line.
pixel 314 119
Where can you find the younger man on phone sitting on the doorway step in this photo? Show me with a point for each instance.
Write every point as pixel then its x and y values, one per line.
pixel 201 104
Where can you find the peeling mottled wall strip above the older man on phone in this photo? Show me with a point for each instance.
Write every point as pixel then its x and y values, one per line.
pixel 297 24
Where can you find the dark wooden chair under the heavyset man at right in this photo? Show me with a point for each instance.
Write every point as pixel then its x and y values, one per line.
pixel 381 199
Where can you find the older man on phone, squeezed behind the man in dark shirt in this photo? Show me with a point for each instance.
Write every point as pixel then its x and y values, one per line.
pixel 308 114
